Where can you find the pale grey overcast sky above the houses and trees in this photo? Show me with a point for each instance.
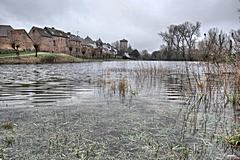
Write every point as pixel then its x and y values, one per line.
pixel 139 21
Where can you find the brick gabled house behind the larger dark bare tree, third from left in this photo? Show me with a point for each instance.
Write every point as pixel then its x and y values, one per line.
pixel 42 38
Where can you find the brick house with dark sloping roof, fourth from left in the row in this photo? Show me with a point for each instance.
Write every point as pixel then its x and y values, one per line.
pixel 60 40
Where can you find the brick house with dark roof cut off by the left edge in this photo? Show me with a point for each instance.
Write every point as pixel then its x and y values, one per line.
pixel 5 40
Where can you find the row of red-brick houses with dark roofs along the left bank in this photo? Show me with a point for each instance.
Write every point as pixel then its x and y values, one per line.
pixel 52 40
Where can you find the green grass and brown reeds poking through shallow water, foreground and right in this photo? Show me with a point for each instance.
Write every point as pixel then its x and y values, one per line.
pixel 113 130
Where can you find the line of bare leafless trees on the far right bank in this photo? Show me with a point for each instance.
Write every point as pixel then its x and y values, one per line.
pixel 184 42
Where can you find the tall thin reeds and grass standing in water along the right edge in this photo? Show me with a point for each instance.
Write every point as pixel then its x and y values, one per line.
pixel 213 108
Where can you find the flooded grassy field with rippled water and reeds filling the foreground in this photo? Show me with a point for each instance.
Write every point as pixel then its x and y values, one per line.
pixel 115 110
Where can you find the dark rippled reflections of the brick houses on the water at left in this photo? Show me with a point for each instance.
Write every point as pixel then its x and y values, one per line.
pixel 25 86
